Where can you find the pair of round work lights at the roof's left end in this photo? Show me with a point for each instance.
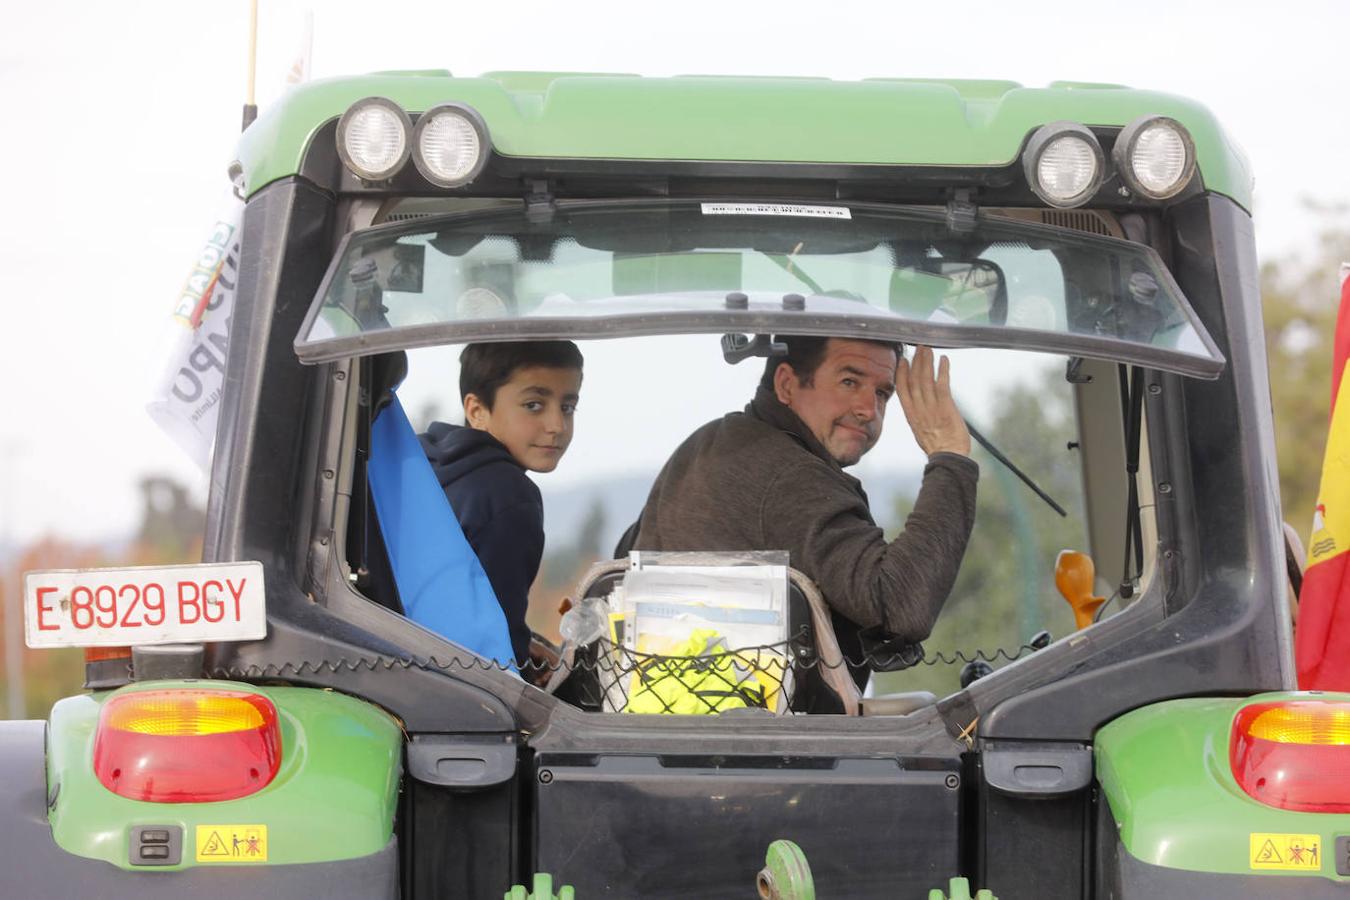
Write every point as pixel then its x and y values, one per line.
pixel 449 145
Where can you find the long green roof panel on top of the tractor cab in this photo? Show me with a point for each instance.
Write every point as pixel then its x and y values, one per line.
pixel 742 119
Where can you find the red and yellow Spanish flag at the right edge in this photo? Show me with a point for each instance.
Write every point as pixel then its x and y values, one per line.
pixel 1322 643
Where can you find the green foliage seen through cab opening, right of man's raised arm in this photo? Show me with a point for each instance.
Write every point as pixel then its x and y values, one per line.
pixel 1005 593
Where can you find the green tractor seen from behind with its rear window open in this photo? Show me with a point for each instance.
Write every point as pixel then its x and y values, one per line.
pixel 281 729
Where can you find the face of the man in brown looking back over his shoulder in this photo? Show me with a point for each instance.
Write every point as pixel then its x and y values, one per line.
pixel 846 403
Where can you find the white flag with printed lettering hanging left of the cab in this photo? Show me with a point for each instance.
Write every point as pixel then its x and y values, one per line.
pixel 187 399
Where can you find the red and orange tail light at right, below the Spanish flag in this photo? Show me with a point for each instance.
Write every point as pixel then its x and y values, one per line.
pixel 1294 755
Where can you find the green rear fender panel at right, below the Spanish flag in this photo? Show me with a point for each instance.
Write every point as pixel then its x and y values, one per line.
pixel 1166 775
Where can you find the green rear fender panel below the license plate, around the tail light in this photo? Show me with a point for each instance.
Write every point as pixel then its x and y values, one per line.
pixel 334 797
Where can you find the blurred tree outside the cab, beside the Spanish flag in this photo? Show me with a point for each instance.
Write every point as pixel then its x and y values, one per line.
pixel 1301 296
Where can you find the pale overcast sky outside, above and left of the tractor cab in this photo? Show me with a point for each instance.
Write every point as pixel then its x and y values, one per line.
pixel 119 122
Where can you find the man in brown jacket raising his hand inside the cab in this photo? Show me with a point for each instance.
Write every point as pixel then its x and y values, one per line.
pixel 773 478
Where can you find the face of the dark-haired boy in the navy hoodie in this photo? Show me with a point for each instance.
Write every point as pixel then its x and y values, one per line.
pixel 533 415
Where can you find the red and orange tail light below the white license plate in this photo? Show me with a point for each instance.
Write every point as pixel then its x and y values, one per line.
pixel 187 746
